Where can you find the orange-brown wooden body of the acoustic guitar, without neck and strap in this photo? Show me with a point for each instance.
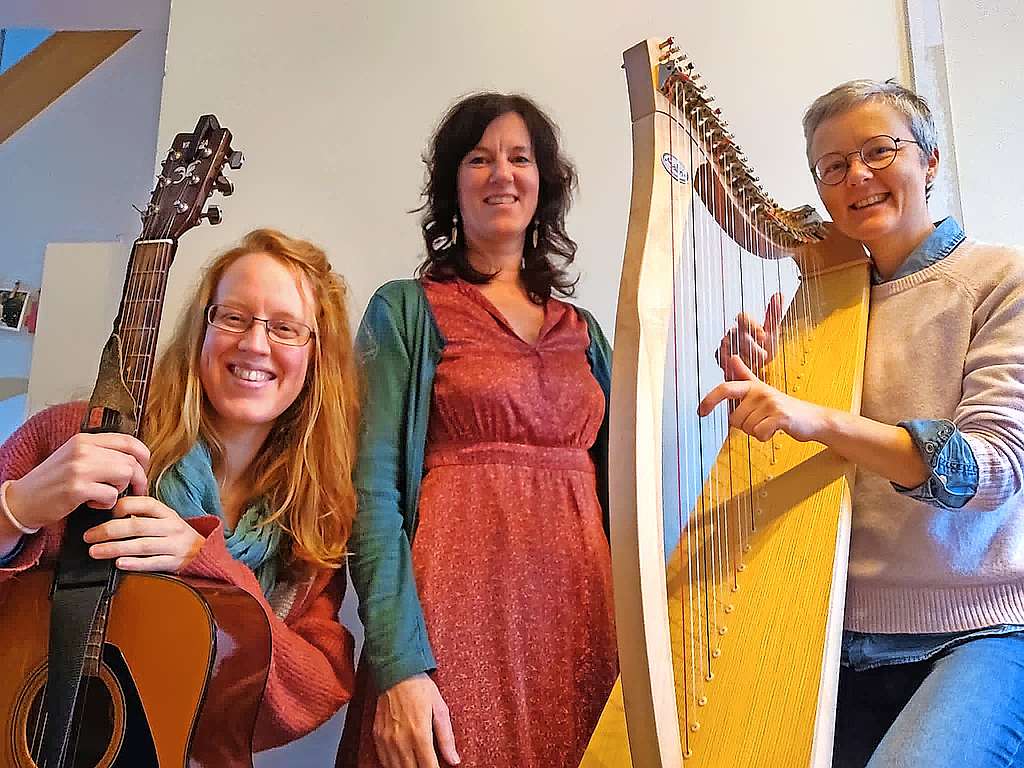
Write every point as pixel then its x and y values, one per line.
pixel 183 673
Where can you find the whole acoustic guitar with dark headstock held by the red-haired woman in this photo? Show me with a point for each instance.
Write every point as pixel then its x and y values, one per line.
pixel 169 672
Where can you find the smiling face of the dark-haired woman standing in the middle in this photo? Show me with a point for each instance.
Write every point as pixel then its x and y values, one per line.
pixel 498 185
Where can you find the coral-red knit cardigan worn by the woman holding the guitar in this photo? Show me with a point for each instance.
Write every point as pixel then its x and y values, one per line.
pixel 312 671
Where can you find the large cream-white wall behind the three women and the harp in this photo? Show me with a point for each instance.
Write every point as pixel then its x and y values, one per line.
pixel 333 104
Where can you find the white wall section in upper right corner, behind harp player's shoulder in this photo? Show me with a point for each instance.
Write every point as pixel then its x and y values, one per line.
pixel 986 62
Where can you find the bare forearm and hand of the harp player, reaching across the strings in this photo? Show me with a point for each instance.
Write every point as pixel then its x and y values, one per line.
pixel 760 410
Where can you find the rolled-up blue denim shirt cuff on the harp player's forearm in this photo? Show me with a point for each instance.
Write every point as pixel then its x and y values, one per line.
pixel 955 472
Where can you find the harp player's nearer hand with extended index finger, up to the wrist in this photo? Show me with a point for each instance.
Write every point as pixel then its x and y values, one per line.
pixel 761 410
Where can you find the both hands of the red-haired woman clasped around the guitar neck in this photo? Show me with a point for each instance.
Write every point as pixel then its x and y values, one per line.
pixel 96 470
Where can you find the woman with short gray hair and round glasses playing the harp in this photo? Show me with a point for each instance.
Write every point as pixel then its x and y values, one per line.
pixel 933 649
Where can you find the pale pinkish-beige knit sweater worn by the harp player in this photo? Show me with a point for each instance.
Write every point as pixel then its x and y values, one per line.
pixel 946 343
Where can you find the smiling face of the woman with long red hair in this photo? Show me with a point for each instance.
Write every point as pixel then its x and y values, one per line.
pixel 248 379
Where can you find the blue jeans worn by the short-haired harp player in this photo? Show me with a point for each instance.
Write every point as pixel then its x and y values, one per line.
pixel 962 708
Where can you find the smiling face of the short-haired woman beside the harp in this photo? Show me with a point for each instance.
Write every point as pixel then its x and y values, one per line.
pixel 885 209
